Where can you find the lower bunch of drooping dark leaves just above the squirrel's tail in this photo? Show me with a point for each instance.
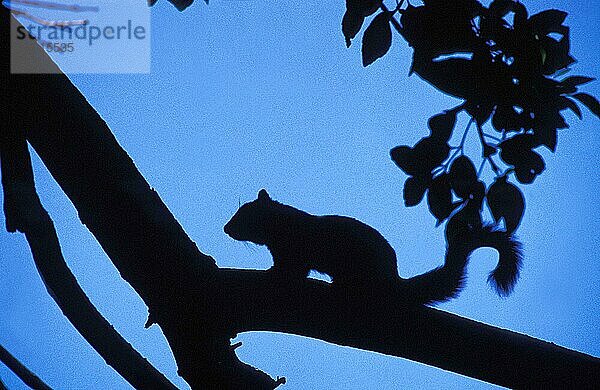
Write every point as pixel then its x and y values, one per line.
pixel 451 181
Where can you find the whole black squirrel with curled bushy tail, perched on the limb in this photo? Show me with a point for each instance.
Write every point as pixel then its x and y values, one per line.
pixel 354 254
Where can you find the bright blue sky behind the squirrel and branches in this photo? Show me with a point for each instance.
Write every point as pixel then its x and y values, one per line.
pixel 246 95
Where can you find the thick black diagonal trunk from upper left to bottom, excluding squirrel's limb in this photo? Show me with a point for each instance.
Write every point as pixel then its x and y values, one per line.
pixel 128 218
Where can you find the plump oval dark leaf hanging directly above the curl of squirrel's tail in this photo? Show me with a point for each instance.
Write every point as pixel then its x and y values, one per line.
pixel 506 201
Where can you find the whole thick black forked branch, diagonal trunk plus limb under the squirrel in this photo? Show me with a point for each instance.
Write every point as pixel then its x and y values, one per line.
pixel 199 307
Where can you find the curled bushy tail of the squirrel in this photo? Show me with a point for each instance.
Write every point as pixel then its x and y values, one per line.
pixel 445 282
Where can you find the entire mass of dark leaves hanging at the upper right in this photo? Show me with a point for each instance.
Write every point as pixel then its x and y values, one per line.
pixel 504 64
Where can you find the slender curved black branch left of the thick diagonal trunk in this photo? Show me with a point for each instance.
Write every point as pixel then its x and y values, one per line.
pixel 25 213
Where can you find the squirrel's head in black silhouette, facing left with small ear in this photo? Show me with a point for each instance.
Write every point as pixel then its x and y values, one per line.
pixel 251 220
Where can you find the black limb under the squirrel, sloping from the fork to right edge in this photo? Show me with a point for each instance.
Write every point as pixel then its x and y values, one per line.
pixel 377 321
